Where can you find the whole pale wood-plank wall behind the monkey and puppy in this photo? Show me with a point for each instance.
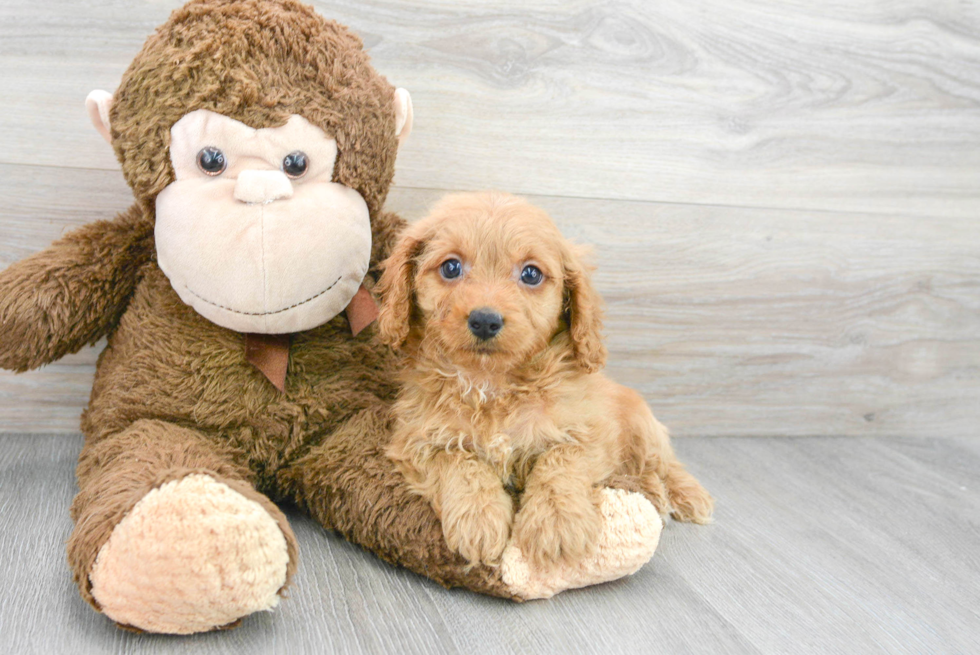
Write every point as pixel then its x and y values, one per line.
pixel 784 196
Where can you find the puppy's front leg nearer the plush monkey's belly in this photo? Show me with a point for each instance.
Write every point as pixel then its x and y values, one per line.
pixel 475 510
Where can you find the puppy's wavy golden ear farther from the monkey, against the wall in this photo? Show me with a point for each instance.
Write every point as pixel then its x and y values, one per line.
pixel 583 310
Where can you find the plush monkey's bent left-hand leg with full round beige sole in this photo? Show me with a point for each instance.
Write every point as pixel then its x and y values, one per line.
pixel 170 534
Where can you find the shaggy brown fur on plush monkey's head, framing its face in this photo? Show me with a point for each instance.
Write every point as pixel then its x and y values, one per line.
pixel 258 62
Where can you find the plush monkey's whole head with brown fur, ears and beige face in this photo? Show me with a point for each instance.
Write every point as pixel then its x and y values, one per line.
pixel 263 163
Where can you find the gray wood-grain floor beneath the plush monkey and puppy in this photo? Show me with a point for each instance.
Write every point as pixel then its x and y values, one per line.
pixel 820 545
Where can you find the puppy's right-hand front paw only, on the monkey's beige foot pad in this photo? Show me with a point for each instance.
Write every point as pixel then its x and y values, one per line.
pixel 553 531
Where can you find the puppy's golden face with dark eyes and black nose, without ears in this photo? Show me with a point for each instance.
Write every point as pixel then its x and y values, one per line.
pixel 488 285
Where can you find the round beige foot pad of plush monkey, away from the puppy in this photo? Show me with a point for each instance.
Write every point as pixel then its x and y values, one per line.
pixel 191 555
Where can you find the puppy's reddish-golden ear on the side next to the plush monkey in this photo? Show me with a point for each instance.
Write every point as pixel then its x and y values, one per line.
pixel 396 290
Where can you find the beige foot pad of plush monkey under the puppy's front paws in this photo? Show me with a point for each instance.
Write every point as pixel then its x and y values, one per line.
pixel 630 534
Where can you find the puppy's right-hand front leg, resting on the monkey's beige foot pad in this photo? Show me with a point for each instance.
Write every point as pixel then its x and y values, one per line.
pixel 559 520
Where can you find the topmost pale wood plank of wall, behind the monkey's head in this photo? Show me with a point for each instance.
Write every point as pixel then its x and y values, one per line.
pixel 831 105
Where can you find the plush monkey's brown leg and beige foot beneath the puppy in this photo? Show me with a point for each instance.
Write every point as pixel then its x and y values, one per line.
pixel 348 484
